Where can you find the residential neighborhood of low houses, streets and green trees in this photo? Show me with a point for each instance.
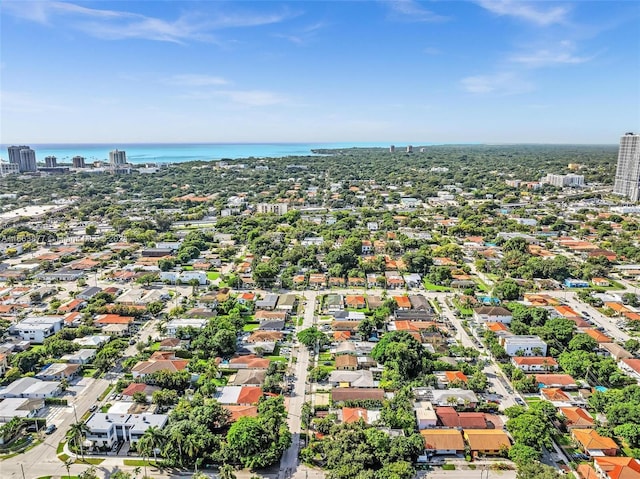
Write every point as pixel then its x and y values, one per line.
pixel 318 316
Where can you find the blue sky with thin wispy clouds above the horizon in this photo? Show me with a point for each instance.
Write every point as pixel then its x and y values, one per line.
pixel 489 71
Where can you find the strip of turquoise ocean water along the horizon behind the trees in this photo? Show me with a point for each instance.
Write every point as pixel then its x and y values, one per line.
pixel 177 153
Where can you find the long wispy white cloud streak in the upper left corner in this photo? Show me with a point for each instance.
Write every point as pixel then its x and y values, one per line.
pixel 117 25
